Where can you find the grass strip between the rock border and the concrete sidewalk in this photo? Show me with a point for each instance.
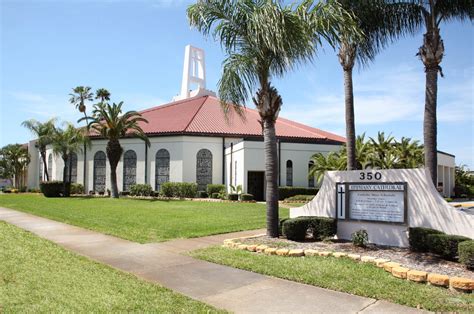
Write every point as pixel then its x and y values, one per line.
pixel 343 275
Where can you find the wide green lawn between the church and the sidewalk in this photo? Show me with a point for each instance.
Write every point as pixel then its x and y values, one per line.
pixel 144 220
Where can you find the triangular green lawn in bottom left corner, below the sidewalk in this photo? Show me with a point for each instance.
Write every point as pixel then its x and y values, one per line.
pixel 39 276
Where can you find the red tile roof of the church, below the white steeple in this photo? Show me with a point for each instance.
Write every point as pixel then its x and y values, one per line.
pixel 204 115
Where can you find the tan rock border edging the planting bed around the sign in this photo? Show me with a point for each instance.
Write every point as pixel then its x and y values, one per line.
pixel 397 270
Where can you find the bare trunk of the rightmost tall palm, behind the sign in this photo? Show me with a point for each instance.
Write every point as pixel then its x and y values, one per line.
pixel 430 124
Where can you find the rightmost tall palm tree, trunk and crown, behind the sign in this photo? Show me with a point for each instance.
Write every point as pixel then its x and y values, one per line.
pixel 431 53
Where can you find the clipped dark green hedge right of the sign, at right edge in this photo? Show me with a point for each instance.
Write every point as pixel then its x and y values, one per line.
pixel 445 245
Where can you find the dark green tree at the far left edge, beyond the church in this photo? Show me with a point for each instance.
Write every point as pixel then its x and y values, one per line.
pixel 14 159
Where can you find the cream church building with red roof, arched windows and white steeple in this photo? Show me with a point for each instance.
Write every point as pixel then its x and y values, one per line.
pixel 192 140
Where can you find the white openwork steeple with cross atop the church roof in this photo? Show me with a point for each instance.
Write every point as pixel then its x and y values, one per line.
pixel 194 72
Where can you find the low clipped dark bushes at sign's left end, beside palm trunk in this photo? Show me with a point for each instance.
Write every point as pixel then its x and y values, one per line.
pixel 319 227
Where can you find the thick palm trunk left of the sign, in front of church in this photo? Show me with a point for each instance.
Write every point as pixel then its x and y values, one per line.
pixel 271 176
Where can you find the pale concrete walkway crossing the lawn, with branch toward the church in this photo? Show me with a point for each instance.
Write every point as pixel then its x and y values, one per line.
pixel 221 286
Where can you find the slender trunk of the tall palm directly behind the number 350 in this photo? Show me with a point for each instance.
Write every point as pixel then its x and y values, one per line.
pixel 350 120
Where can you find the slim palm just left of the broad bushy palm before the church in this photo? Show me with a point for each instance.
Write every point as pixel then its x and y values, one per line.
pixel 66 142
